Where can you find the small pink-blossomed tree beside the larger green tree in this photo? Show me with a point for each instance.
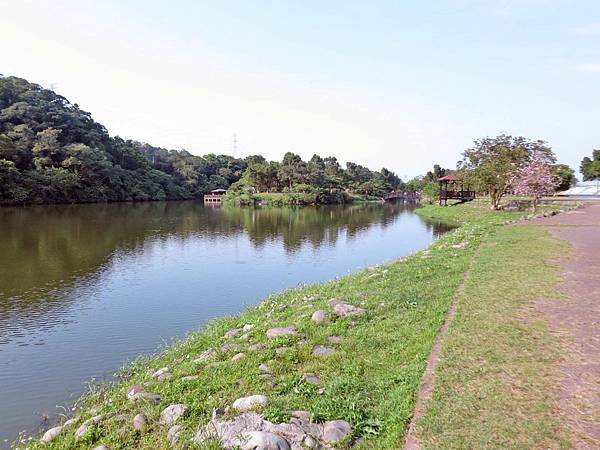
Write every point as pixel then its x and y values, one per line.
pixel 534 178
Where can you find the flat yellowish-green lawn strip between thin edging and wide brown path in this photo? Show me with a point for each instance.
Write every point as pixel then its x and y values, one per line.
pixel 494 384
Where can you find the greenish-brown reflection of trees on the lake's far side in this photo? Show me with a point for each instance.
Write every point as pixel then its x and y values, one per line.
pixel 66 247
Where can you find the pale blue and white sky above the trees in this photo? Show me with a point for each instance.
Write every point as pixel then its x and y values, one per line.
pixel 395 84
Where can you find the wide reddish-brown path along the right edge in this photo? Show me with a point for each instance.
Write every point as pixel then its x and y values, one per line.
pixel 578 319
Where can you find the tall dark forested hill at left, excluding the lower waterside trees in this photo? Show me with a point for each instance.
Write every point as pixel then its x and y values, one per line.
pixel 51 151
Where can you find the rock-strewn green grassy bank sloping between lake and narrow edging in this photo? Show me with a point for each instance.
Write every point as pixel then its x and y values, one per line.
pixel 379 355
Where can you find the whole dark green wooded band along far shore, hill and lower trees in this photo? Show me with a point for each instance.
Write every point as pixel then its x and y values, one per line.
pixel 51 151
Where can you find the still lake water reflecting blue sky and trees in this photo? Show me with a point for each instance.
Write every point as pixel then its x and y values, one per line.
pixel 85 288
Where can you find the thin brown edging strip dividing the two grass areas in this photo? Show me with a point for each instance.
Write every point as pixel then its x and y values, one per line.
pixel 412 440
